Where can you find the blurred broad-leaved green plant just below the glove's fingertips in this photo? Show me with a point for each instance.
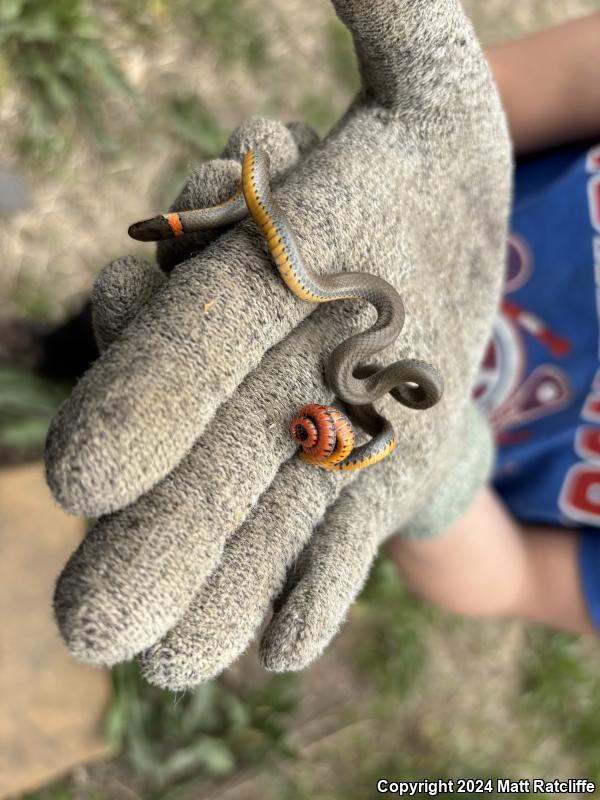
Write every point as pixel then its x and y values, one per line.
pixel 205 733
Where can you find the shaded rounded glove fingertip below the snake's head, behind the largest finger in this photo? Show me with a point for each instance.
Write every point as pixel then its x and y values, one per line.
pixel 120 292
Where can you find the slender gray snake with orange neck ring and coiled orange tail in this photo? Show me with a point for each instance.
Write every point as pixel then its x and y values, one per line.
pixel 325 434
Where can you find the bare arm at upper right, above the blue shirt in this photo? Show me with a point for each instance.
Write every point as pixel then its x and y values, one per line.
pixel 550 84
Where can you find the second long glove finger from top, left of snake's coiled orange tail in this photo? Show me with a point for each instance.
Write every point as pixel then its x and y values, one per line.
pixel 138 569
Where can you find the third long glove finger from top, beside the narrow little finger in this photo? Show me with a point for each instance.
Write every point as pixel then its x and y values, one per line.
pixel 226 612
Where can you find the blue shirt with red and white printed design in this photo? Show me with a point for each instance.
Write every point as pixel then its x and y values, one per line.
pixel 540 378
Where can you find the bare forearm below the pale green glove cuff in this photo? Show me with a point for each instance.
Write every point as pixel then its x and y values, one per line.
pixel 488 565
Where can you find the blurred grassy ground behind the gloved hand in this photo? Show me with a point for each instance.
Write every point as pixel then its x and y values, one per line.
pixel 105 107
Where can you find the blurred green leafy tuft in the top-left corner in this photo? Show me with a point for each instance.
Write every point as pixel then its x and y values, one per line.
pixel 56 54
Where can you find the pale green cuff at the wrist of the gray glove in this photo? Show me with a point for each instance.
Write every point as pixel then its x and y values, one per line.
pixel 466 476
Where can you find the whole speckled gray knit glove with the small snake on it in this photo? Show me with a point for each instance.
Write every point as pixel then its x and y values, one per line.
pixel 179 433
